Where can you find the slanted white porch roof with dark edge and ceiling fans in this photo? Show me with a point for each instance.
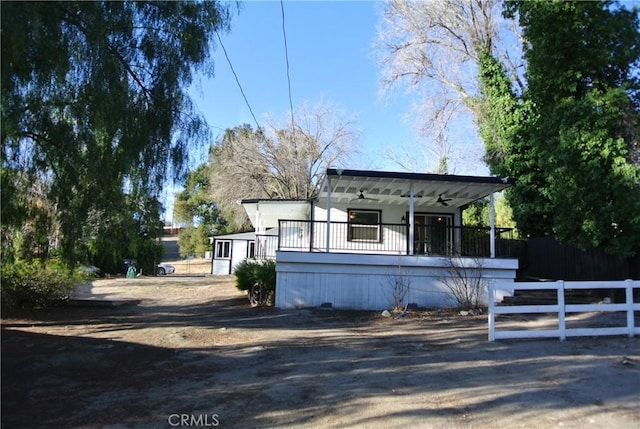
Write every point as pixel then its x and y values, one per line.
pixel 393 188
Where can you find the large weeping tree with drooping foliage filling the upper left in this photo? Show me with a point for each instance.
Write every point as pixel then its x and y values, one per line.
pixel 94 103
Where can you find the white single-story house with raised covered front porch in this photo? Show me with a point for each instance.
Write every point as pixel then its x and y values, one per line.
pixel 366 229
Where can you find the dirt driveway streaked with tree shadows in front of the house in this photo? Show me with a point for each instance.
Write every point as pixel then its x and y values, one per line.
pixel 193 353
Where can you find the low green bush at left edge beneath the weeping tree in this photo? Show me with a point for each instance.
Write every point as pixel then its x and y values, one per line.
pixel 37 284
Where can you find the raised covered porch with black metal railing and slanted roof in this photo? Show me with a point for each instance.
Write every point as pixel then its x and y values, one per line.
pixel 397 213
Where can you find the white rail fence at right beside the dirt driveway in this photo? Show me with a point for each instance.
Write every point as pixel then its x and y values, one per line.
pixel 561 309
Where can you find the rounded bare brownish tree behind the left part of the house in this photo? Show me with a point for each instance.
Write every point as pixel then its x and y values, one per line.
pixel 279 161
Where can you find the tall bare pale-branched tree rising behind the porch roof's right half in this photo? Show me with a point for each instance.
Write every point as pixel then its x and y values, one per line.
pixel 429 47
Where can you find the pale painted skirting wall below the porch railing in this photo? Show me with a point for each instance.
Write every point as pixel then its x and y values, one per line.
pixel 363 282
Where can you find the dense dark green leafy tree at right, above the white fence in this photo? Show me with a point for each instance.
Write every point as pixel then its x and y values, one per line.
pixel 571 138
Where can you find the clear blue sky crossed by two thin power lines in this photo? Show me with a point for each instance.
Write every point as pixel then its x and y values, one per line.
pixel 330 46
